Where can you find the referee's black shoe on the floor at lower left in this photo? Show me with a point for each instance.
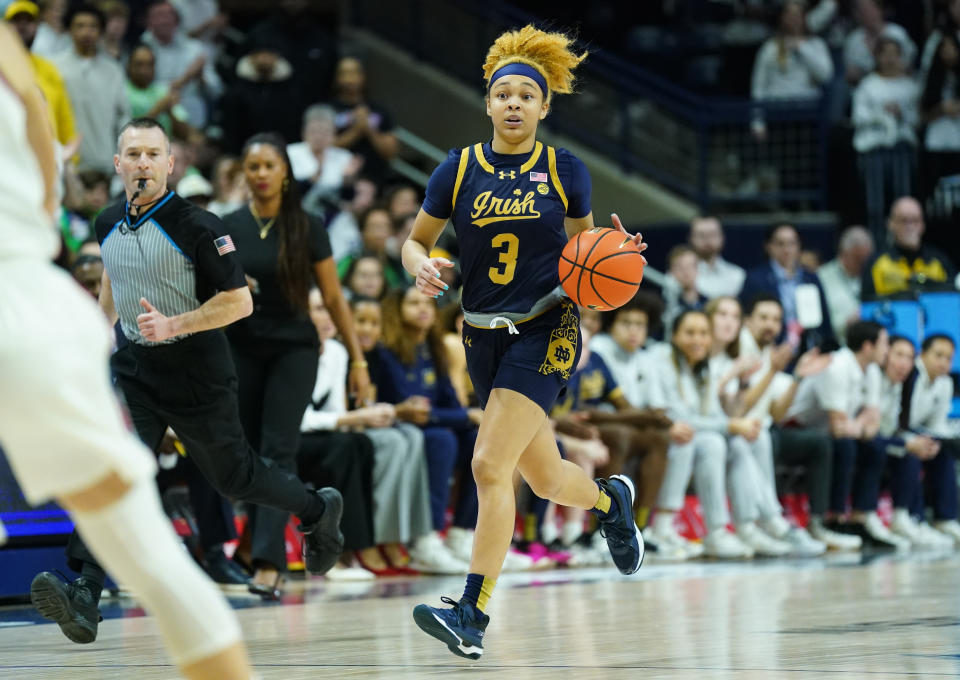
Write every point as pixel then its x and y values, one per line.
pixel 71 605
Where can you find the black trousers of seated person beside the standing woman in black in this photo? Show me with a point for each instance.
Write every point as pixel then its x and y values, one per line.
pixel 343 460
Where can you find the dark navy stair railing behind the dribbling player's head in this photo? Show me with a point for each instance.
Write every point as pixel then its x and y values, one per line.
pixel 703 148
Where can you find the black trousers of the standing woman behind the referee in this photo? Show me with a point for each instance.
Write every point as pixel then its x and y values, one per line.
pixel 276 380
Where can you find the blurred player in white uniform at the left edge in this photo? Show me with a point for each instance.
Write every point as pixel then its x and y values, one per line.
pixel 60 426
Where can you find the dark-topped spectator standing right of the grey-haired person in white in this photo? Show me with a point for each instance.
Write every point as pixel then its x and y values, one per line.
pixel 362 127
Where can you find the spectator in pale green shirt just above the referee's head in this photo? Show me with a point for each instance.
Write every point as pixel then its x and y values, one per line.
pixel 152 99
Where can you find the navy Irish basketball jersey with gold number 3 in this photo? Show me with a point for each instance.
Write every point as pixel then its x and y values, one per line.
pixel 508 212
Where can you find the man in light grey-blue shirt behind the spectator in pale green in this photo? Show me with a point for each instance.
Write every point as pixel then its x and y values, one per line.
pixel 182 63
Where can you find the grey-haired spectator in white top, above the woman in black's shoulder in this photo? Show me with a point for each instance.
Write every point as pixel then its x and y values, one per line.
pixel 316 160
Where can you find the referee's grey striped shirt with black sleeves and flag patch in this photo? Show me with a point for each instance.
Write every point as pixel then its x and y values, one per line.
pixel 168 256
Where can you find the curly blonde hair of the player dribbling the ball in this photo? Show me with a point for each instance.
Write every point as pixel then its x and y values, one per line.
pixel 548 53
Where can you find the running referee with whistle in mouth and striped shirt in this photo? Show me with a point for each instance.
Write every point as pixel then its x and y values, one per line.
pixel 173 278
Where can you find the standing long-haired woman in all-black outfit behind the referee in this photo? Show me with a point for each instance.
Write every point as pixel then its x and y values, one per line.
pixel 283 251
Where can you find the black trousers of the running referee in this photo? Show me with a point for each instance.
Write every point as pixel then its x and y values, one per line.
pixel 191 386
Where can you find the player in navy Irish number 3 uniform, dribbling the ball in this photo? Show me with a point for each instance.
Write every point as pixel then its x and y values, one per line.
pixel 514 203
